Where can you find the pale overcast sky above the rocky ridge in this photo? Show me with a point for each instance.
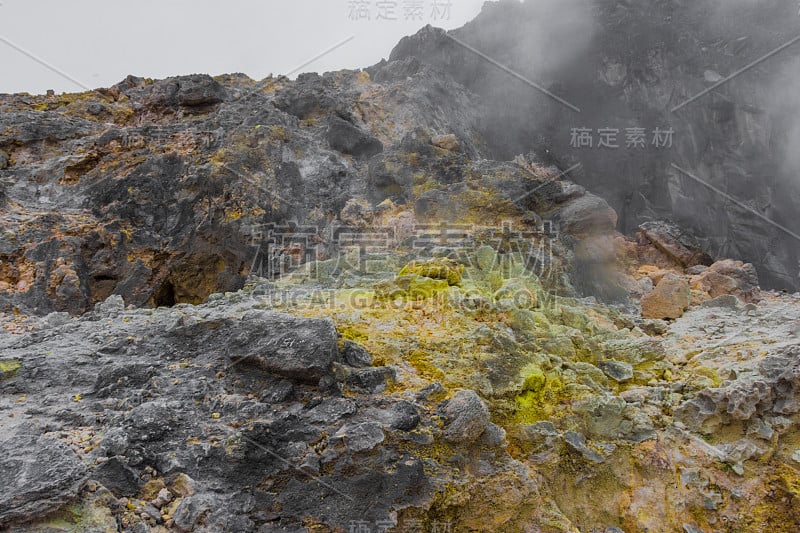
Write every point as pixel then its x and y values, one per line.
pixel 97 43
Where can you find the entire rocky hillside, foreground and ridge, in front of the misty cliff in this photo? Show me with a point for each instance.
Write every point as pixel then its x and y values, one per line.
pixel 319 305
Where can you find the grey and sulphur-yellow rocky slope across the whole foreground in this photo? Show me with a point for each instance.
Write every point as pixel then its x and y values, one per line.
pixel 407 403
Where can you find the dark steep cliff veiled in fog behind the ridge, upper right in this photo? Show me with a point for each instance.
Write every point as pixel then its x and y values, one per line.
pixel 628 65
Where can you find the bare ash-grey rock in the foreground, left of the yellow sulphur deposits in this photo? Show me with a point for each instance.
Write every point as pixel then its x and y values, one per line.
pixel 226 415
